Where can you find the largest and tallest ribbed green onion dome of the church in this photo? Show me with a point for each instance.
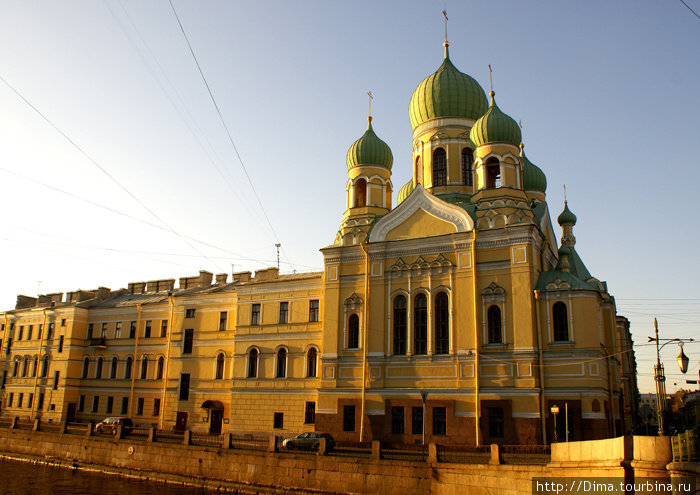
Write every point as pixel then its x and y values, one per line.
pixel 446 93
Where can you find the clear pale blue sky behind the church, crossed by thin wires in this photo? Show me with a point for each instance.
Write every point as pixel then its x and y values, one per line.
pixel 119 164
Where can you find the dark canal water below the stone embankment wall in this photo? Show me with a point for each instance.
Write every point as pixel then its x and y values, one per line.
pixel 25 478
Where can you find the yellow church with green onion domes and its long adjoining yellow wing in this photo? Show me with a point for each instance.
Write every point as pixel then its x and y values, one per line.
pixel 453 316
